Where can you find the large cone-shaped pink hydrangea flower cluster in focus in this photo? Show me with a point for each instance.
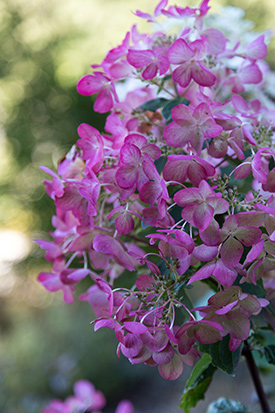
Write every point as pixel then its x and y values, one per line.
pixel 179 188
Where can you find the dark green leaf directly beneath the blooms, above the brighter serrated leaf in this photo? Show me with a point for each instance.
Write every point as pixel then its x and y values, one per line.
pixel 222 357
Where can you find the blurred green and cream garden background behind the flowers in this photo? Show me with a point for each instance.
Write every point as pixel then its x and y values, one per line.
pixel 46 345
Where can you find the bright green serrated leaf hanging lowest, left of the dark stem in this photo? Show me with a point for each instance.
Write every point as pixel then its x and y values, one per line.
pixel 196 392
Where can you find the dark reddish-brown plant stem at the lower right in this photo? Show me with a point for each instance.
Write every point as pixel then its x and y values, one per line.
pixel 253 369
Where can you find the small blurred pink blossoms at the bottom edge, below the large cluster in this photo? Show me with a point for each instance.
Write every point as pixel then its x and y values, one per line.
pixel 85 399
